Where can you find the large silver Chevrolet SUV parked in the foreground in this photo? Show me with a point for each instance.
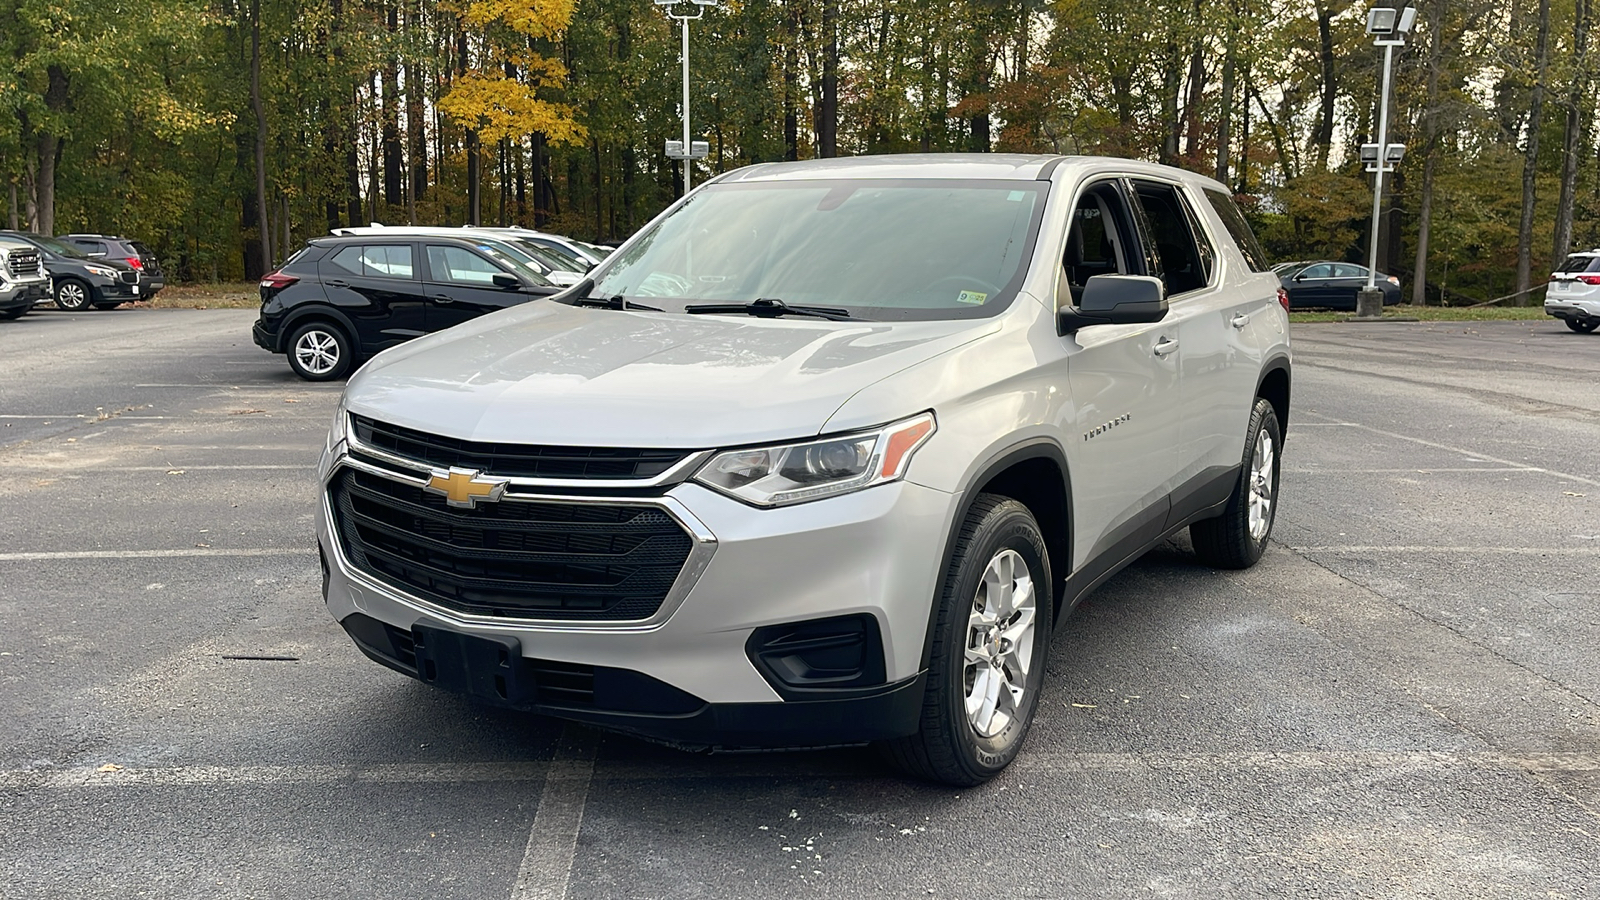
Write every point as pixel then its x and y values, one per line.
pixel 822 456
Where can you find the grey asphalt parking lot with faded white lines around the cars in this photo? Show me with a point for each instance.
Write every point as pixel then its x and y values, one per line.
pixel 1402 701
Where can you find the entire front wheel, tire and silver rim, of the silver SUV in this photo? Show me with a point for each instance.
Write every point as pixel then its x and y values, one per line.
pixel 990 646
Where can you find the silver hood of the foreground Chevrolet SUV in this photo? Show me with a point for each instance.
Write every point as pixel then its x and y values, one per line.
pixel 553 374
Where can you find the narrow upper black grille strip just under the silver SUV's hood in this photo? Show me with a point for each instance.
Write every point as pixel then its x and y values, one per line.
pixel 516 460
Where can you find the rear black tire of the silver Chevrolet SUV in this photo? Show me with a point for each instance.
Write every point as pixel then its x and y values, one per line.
pixel 1228 540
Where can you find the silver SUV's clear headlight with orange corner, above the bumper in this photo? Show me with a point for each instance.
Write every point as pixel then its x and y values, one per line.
pixel 796 473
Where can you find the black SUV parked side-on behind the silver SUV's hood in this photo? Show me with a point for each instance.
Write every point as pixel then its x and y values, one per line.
pixel 348 297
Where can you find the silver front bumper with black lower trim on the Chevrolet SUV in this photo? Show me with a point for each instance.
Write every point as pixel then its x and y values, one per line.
pixel 873 553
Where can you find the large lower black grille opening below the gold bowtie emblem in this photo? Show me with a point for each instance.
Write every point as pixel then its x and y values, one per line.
pixel 556 561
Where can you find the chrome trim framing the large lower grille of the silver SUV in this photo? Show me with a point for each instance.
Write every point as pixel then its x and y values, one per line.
pixel 689 576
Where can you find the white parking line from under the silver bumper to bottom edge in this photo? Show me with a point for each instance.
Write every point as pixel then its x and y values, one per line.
pixel 553 843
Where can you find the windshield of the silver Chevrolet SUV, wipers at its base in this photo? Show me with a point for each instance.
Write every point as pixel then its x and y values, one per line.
pixel 882 249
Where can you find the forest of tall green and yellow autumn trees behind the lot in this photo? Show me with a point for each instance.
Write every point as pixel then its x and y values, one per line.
pixel 228 132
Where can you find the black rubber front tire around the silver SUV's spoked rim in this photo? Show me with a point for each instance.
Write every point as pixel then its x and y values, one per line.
pixel 950 749
